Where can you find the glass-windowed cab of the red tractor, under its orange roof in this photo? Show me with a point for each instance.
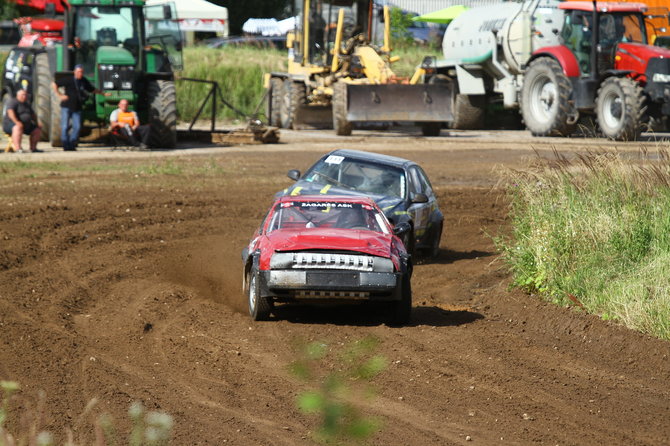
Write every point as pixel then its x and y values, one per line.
pixel 617 23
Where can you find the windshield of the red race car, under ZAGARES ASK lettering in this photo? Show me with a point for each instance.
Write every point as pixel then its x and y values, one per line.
pixel 323 214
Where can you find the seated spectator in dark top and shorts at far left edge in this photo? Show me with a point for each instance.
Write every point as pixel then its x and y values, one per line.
pixel 20 119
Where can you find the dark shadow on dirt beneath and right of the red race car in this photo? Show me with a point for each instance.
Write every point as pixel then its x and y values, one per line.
pixel 370 315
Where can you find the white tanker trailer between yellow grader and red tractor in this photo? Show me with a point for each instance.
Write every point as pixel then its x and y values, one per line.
pixel 486 50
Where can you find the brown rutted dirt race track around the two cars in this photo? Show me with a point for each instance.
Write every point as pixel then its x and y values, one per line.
pixel 123 285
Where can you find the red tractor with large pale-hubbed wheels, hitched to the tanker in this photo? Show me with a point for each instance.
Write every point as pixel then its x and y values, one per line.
pixel 609 70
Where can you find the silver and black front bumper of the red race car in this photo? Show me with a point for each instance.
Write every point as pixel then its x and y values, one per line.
pixel 330 283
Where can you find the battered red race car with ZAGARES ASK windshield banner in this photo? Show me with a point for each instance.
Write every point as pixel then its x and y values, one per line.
pixel 325 248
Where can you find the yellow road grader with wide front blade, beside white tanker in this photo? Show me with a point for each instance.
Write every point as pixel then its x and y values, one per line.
pixel 339 74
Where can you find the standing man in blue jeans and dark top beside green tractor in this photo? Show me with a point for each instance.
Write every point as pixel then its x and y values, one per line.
pixel 76 90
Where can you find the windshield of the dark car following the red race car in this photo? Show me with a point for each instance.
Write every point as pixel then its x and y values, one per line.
pixel 361 176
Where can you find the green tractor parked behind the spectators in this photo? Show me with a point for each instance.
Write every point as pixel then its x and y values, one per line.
pixel 127 49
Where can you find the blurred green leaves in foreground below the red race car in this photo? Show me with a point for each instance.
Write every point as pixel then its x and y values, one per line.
pixel 336 378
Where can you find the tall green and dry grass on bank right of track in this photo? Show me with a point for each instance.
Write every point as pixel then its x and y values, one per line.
pixel 595 231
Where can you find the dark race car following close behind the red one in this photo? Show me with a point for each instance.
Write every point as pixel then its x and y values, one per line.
pixel 399 187
